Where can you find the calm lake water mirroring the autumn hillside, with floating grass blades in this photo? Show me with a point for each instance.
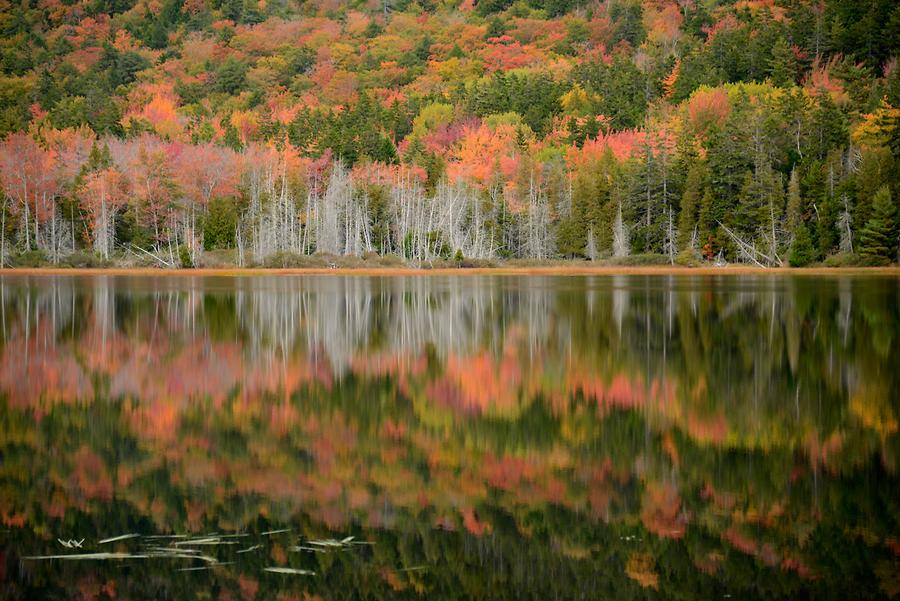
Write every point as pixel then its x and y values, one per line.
pixel 478 437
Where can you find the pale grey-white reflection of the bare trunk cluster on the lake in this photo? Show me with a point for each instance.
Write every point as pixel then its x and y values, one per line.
pixel 341 317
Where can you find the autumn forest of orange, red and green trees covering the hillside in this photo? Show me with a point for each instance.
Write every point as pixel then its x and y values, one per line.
pixel 177 133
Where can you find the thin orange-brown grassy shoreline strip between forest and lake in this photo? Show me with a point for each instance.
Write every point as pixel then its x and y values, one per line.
pixel 551 270
